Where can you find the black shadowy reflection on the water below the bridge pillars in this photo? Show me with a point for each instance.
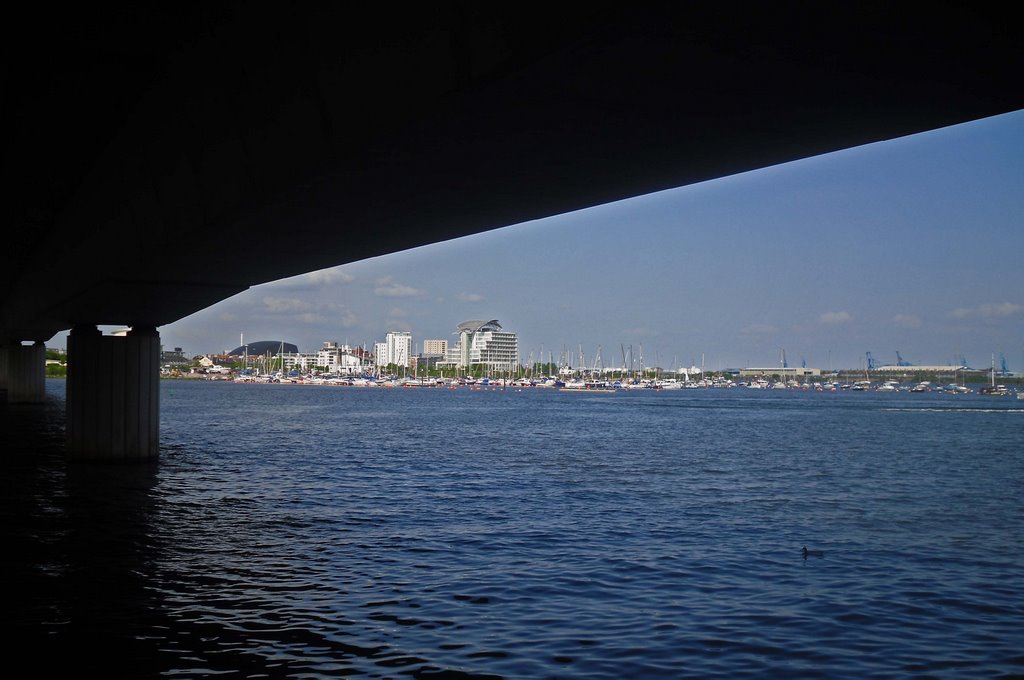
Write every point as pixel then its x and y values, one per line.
pixel 77 542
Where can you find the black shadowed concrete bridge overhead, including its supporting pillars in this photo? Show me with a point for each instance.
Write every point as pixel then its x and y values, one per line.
pixel 139 140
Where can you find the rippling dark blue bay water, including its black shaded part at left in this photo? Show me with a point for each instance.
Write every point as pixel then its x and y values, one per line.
pixel 324 532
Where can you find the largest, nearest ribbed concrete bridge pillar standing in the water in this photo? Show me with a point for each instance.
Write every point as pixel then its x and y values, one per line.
pixel 113 395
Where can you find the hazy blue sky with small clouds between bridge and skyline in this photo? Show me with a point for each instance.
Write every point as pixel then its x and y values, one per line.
pixel 914 245
